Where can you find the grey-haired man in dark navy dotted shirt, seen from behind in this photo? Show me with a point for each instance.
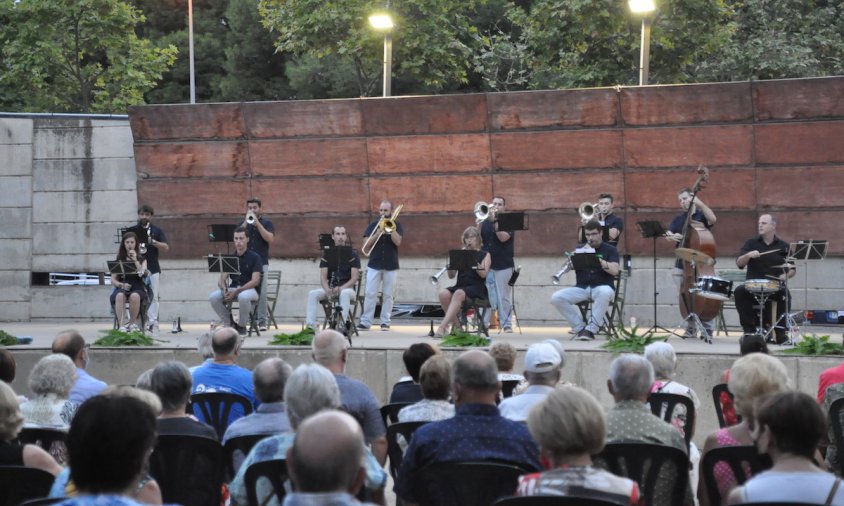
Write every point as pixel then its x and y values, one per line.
pixel 476 432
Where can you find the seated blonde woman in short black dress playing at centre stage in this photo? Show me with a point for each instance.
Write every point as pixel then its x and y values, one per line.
pixel 470 283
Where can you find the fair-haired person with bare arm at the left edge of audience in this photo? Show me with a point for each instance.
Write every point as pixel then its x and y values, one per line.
pixel 13 453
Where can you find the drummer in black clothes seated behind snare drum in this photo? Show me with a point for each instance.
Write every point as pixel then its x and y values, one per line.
pixel 766 259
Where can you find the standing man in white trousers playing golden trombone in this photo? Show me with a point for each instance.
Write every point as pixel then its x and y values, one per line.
pixel 381 270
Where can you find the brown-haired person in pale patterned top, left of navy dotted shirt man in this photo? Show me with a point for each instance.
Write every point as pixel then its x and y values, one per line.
pixel 435 380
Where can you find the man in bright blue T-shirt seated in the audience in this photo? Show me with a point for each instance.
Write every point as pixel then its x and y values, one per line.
pixel 223 374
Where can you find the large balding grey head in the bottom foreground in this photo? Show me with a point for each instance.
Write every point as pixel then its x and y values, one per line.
pixel 324 462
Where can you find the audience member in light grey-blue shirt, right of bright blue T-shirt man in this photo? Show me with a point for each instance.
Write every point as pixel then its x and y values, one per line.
pixel 269 378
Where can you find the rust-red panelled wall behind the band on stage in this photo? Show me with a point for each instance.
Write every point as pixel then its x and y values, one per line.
pixel 771 146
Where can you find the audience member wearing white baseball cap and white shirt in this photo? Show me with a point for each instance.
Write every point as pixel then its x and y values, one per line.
pixel 543 369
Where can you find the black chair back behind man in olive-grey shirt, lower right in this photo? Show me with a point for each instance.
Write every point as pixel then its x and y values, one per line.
pixel 662 472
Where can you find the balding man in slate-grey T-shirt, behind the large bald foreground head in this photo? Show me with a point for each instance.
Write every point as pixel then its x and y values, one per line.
pixel 329 350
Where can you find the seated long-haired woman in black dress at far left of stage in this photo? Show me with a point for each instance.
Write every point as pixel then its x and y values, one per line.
pixel 129 287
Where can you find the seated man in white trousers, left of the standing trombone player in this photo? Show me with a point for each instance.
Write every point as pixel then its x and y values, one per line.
pixel 336 282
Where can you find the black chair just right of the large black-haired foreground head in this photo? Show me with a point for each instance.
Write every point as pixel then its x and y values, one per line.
pixel 188 469
